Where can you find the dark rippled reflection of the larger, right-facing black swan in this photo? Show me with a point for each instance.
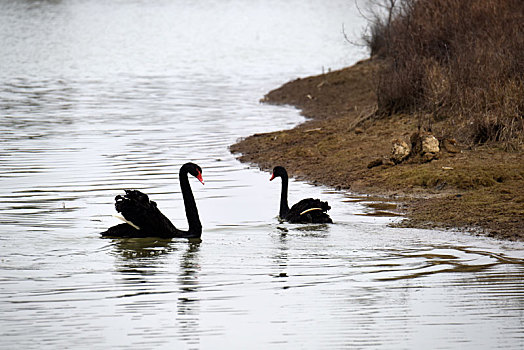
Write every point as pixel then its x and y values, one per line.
pixel 144 263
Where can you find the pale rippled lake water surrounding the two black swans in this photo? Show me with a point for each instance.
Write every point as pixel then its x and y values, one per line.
pixel 97 96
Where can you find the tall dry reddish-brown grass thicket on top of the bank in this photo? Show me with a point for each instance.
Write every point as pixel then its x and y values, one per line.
pixel 459 61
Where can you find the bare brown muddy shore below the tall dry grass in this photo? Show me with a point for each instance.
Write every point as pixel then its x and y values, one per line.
pixel 480 189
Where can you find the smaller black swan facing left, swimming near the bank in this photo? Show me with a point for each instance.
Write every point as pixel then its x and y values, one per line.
pixel 308 210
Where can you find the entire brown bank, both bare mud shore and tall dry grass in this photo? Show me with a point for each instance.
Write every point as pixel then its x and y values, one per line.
pixel 448 71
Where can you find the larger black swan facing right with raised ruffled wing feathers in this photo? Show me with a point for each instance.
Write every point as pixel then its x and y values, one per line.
pixel 143 219
